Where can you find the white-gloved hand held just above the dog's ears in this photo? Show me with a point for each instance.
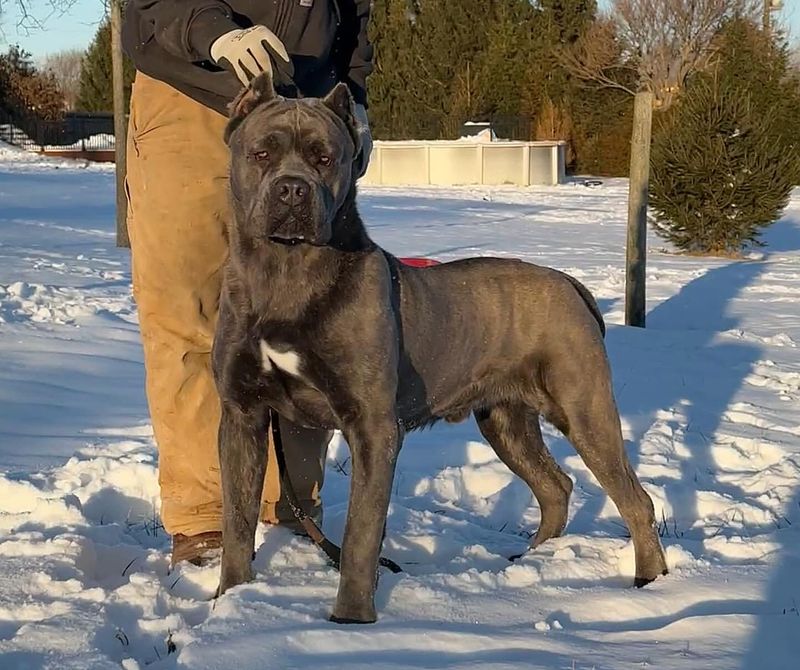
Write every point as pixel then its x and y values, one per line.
pixel 250 51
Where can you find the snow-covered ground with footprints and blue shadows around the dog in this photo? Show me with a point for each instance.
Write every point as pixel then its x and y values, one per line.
pixel 710 399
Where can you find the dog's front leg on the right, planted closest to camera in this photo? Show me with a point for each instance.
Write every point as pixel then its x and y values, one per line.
pixel 374 441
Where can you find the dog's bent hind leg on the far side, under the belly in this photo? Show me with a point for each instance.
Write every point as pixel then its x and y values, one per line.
pixel 514 433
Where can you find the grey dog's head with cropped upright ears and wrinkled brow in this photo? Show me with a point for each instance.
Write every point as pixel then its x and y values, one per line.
pixel 291 163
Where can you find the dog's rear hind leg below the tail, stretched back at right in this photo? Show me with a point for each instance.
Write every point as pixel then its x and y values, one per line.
pixel 587 414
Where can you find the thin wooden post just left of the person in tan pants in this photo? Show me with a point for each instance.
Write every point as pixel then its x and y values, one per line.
pixel 120 122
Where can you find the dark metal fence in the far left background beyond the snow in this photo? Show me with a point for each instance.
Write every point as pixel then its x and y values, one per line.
pixel 75 131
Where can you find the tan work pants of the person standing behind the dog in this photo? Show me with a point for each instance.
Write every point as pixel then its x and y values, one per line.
pixel 177 215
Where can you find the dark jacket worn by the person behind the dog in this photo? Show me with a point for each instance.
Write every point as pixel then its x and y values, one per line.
pixel 327 40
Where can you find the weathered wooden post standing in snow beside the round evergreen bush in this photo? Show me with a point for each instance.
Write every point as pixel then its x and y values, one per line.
pixel 636 255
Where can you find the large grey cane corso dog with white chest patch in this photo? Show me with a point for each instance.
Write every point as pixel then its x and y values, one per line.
pixel 322 325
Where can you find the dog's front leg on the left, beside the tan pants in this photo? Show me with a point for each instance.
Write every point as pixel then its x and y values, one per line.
pixel 242 459
